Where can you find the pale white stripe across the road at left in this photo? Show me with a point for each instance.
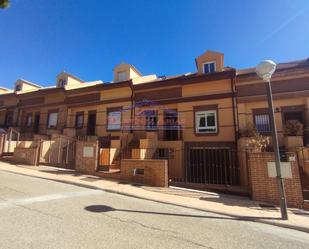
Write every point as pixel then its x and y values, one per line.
pixel 44 198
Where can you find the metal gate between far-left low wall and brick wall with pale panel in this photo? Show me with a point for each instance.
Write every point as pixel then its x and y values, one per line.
pixel 59 152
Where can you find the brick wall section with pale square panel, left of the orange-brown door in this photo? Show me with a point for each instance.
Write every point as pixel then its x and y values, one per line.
pixel 86 159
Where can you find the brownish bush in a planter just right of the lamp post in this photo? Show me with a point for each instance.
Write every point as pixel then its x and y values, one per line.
pixel 293 131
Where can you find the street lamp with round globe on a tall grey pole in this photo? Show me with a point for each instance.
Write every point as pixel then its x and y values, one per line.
pixel 265 70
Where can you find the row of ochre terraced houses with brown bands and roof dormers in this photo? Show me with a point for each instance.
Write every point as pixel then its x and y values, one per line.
pixel 195 120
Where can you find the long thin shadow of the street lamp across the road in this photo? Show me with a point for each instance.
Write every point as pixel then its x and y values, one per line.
pixel 104 209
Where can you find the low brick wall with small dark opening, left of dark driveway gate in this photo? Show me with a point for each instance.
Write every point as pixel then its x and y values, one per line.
pixel 148 171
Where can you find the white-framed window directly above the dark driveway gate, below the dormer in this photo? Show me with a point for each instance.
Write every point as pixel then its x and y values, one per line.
pixel 206 121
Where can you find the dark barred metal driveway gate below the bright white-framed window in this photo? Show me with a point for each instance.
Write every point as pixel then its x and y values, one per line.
pixel 212 165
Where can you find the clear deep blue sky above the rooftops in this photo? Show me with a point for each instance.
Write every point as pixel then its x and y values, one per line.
pixel 40 38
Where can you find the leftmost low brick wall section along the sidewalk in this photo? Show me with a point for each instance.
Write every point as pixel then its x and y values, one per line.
pixel 26 155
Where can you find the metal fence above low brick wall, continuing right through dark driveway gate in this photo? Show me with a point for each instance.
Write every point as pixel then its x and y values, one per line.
pixel 206 165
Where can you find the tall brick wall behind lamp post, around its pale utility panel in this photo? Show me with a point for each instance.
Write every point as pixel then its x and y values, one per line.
pixel 265 188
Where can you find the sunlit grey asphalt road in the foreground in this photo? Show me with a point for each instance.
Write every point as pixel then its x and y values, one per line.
pixel 38 213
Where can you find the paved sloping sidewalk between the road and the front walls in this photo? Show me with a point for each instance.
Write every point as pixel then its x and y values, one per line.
pixel 233 206
